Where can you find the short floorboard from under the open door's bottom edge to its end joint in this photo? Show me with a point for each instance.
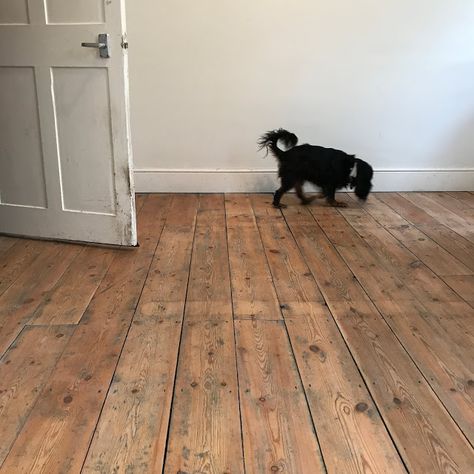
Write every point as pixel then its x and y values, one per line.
pixel 67 301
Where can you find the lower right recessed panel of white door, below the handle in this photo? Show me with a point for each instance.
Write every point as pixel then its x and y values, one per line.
pixel 81 96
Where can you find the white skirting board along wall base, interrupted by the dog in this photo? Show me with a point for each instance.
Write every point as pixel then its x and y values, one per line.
pixel 246 181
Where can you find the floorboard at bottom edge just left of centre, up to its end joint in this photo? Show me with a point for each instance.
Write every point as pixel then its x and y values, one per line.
pixel 205 431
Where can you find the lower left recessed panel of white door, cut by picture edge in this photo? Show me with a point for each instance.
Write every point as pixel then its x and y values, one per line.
pixel 21 166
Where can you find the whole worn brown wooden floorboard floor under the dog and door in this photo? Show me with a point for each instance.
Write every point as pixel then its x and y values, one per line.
pixel 239 338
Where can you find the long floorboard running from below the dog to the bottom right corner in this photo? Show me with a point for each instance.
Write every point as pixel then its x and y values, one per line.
pixel 427 438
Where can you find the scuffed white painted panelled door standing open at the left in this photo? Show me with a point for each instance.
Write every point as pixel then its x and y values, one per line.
pixel 65 154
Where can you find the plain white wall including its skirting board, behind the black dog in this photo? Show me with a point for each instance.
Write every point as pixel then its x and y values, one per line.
pixel 392 81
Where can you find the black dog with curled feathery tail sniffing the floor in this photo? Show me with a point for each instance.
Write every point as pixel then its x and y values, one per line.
pixel 327 168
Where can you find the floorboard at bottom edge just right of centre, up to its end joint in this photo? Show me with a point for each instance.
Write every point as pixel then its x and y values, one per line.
pixel 277 431
